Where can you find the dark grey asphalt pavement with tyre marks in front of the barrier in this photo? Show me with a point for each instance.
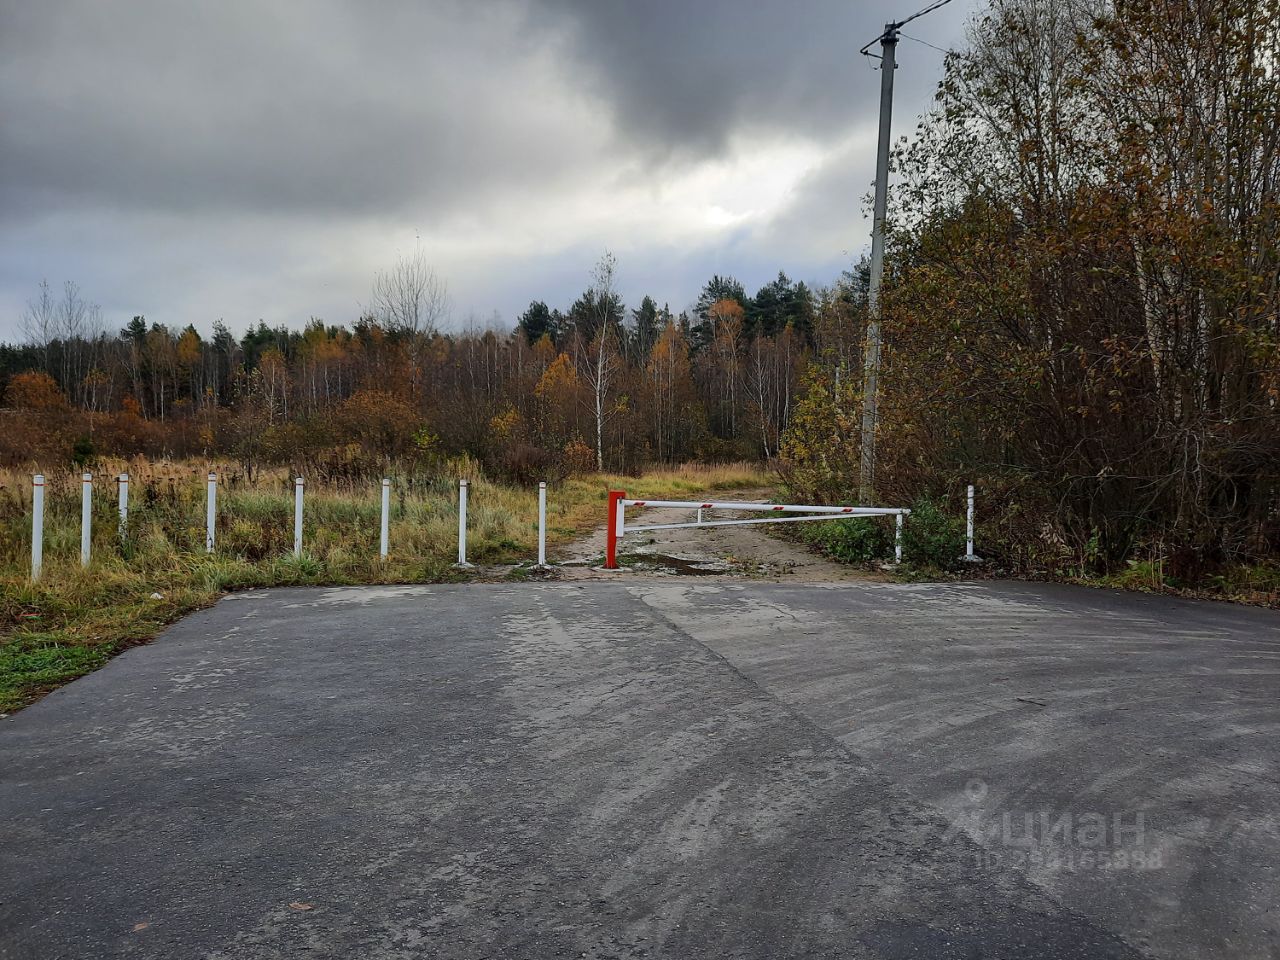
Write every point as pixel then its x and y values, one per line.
pixel 657 767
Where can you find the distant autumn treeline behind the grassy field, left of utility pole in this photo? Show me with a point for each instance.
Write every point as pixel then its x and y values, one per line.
pixel 595 386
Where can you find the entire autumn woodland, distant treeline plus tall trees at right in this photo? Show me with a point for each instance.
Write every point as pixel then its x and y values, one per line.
pixel 1081 316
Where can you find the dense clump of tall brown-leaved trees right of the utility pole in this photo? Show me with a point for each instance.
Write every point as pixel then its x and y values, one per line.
pixel 1082 285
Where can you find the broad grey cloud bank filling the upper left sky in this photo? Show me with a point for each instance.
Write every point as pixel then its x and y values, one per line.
pixel 295 107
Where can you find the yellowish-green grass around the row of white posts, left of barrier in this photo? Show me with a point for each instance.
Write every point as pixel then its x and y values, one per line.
pixel 75 620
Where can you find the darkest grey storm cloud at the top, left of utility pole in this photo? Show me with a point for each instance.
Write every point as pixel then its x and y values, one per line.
pixel 689 75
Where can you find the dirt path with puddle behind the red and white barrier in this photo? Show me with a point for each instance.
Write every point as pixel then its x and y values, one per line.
pixel 707 552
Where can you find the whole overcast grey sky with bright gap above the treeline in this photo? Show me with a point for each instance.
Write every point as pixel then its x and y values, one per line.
pixel 196 162
